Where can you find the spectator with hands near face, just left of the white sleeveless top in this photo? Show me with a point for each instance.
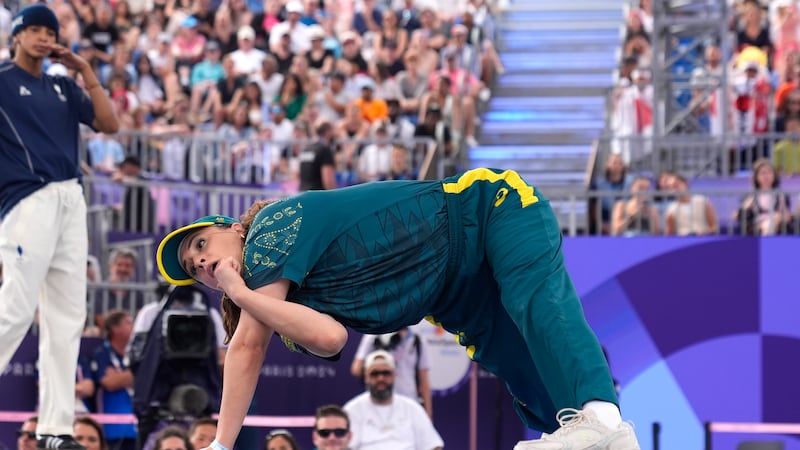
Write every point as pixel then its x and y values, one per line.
pixel 636 216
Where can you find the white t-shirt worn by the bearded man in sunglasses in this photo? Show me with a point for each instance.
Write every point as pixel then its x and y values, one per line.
pixel 401 425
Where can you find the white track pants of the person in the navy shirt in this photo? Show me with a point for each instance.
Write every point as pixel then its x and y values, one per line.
pixel 43 246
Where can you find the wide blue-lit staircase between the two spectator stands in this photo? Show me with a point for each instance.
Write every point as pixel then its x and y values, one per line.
pixel 549 106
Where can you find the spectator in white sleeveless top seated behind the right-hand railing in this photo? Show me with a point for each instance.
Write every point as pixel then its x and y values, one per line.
pixel 690 214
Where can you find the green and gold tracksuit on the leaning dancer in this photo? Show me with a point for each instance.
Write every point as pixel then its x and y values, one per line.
pixel 478 253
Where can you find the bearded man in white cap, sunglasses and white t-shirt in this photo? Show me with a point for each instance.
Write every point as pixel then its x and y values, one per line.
pixel 380 419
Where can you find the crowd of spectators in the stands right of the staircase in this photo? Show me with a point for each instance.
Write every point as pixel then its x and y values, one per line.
pixel 748 122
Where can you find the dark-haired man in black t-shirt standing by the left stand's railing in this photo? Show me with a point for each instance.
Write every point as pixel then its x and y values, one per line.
pixel 317 164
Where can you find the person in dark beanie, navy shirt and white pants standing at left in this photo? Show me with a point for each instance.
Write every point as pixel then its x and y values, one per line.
pixel 43 233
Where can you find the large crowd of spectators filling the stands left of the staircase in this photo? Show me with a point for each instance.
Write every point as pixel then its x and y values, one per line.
pixel 222 72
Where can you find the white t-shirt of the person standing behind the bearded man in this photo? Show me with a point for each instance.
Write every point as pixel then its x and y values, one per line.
pixel 405 356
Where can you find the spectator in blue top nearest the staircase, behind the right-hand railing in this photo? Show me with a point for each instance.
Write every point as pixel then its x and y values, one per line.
pixel 614 182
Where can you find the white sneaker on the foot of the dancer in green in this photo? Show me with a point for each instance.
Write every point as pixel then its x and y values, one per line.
pixel 580 430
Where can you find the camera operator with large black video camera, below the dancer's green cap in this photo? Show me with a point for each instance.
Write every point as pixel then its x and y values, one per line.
pixel 176 353
